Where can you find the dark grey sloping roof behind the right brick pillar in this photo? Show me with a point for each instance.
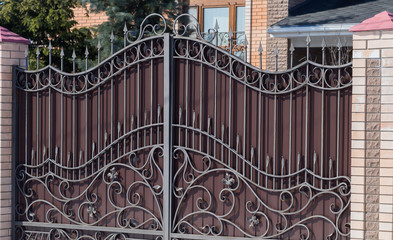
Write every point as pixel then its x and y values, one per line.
pixel 318 12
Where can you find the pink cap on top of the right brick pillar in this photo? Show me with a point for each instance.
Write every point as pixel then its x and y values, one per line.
pixel 381 21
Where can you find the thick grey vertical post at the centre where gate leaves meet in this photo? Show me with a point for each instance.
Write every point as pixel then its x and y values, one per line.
pixel 168 100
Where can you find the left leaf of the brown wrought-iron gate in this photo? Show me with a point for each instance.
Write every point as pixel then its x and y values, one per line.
pixel 91 145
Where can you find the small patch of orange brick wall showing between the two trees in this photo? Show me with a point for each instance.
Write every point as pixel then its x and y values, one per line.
pixel 85 18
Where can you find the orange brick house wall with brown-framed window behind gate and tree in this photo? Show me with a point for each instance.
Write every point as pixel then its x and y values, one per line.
pixel 250 18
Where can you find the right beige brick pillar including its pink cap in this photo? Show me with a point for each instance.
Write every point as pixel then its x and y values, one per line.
pixel 372 129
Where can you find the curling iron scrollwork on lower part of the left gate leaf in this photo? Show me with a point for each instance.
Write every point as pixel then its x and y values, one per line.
pixel 70 204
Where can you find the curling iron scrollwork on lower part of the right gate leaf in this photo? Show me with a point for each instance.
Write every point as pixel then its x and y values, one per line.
pixel 220 207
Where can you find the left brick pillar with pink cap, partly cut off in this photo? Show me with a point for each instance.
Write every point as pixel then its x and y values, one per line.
pixel 12 52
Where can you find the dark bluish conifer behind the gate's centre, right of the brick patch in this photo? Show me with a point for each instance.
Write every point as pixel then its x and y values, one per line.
pixel 130 12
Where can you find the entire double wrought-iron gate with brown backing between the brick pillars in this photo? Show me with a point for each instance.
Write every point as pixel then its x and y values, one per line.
pixel 174 138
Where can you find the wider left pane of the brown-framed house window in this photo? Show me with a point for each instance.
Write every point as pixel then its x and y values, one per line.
pixel 210 15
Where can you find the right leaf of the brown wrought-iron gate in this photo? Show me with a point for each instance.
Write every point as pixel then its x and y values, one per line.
pixel 258 153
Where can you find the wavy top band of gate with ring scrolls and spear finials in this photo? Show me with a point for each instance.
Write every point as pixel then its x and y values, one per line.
pixel 189 43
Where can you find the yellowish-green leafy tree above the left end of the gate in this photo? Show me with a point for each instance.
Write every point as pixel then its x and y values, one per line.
pixel 44 20
